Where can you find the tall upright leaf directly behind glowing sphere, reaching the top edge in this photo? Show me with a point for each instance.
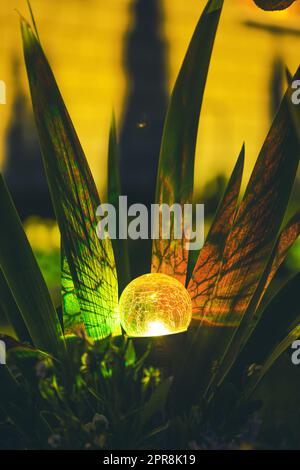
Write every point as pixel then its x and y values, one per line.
pixel 176 163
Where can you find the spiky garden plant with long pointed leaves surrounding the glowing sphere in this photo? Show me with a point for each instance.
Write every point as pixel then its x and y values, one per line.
pixel 74 379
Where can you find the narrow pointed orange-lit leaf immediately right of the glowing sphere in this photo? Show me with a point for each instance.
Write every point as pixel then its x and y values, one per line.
pixel 204 341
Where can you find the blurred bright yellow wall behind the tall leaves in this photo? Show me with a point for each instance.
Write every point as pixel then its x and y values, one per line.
pixel 84 40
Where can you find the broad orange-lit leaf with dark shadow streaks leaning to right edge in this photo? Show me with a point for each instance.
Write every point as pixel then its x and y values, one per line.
pixel 255 229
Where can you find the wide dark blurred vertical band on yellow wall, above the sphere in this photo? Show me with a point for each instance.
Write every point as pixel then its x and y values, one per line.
pixel 143 117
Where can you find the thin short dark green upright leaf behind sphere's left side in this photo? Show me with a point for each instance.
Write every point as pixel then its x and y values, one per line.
pixel 120 246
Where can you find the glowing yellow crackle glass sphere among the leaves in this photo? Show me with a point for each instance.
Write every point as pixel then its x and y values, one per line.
pixel 155 305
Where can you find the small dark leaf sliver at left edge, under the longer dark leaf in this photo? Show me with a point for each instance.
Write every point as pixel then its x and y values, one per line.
pixel 9 311
